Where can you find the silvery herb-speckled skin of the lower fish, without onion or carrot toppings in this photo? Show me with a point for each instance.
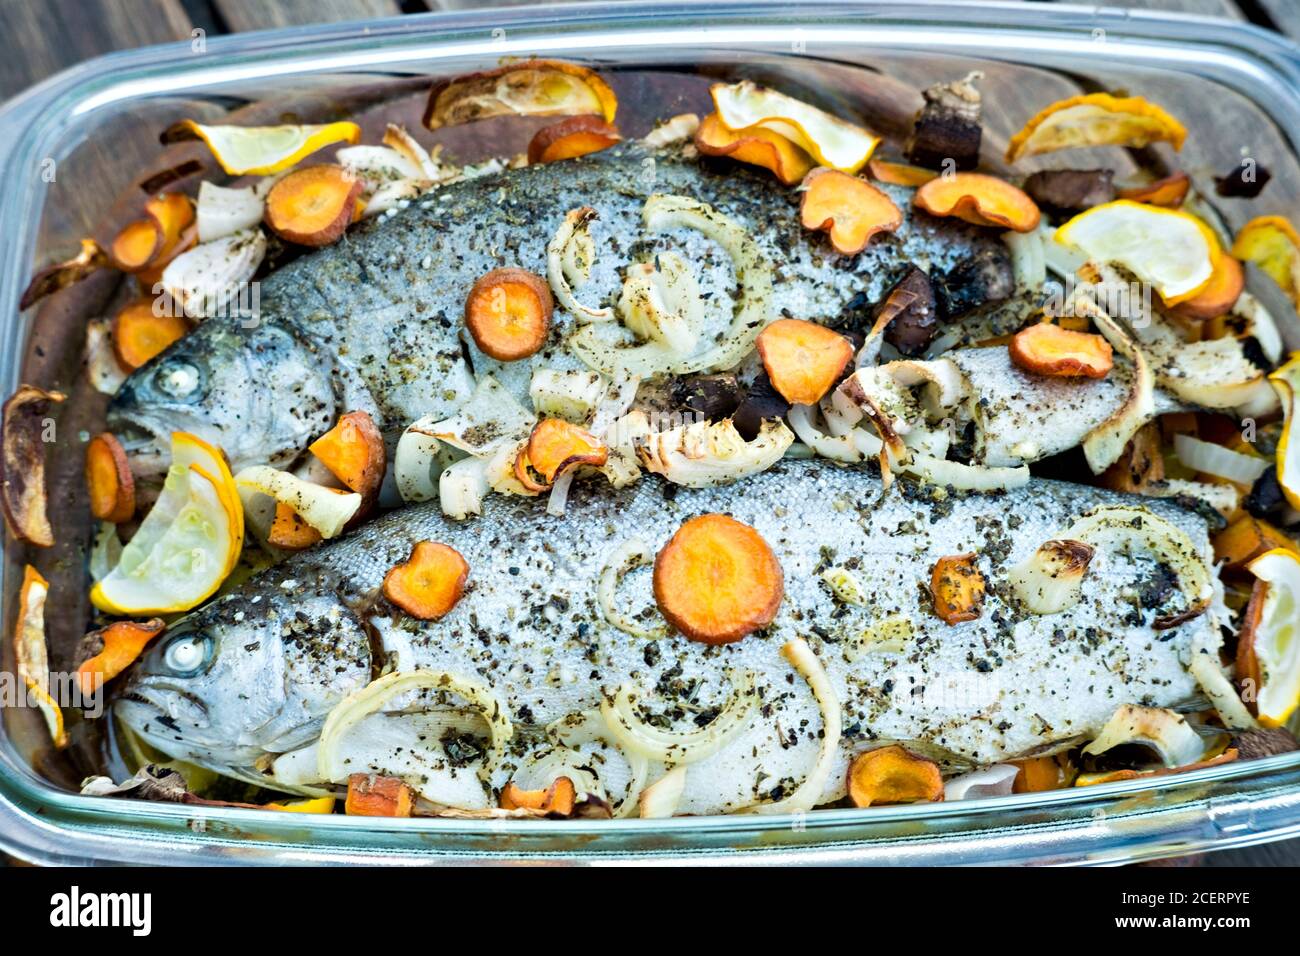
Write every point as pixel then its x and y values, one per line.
pixel 976 694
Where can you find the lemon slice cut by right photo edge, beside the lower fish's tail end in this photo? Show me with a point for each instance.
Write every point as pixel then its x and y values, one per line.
pixel 1277 637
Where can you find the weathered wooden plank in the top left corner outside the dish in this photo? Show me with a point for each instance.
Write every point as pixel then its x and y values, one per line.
pixel 44 38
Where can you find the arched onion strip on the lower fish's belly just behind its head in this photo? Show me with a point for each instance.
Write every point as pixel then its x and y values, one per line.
pixel 372 698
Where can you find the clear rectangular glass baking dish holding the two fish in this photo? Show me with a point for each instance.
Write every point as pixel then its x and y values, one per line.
pixel 72 145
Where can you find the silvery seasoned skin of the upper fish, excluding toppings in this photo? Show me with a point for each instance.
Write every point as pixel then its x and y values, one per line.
pixel 376 319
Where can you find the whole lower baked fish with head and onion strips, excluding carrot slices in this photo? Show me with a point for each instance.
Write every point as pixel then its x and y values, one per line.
pixel 558 630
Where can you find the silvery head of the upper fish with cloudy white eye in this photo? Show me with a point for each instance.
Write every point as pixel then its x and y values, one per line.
pixel 261 395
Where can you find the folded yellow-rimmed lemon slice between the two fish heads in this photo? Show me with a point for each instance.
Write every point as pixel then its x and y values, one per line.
pixel 185 564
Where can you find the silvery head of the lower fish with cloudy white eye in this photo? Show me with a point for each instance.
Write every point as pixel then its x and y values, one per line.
pixel 252 676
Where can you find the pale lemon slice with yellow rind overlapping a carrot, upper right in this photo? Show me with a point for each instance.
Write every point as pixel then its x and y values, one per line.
pixel 1172 250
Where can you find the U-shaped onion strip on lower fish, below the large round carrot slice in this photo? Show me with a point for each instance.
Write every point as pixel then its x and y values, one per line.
pixel 681 747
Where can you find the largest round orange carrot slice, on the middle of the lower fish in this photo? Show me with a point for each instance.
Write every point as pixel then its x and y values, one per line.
pixel 717 581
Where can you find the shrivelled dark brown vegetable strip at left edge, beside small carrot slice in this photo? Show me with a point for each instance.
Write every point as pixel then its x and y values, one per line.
pixel 24 431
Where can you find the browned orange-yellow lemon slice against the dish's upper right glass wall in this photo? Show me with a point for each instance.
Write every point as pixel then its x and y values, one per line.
pixel 1097 120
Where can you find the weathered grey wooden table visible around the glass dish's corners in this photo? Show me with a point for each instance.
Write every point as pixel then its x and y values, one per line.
pixel 42 37
